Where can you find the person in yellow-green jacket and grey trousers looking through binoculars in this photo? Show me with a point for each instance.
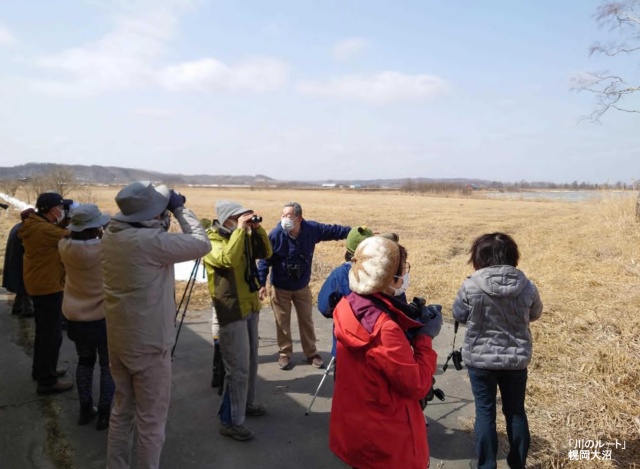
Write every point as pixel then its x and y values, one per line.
pixel 237 241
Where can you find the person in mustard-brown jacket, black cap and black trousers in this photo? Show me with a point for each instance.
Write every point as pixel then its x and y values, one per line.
pixel 44 281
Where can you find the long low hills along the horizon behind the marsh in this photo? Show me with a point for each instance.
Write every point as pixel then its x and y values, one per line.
pixel 95 174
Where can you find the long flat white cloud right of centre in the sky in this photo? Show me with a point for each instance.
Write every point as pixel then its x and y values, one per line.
pixel 382 88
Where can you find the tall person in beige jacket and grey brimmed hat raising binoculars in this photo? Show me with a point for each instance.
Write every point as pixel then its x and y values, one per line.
pixel 138 255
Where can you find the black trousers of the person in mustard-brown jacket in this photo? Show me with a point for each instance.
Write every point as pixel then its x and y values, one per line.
pixel 47 311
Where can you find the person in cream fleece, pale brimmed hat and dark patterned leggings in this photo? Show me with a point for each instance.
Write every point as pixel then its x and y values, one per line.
pixel 83 307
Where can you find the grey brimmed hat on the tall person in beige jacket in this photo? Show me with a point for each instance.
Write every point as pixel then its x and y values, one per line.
pixel 141 201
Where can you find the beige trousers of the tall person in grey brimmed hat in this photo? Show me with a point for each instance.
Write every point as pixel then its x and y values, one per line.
pixel 143 392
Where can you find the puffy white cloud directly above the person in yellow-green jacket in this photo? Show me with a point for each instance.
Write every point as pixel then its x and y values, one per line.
pixel 256 75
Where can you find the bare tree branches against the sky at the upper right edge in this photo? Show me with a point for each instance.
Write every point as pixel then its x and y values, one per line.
pixel 609 89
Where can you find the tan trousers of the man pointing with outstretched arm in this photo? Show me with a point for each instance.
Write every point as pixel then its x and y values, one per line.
pixel 281 301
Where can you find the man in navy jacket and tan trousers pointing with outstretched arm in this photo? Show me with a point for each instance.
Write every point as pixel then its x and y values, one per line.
pixel 294 241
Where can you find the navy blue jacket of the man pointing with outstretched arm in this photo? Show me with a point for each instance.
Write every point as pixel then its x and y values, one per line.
pixel 292 257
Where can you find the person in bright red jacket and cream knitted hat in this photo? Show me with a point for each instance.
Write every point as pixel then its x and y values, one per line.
pixel 376 420
